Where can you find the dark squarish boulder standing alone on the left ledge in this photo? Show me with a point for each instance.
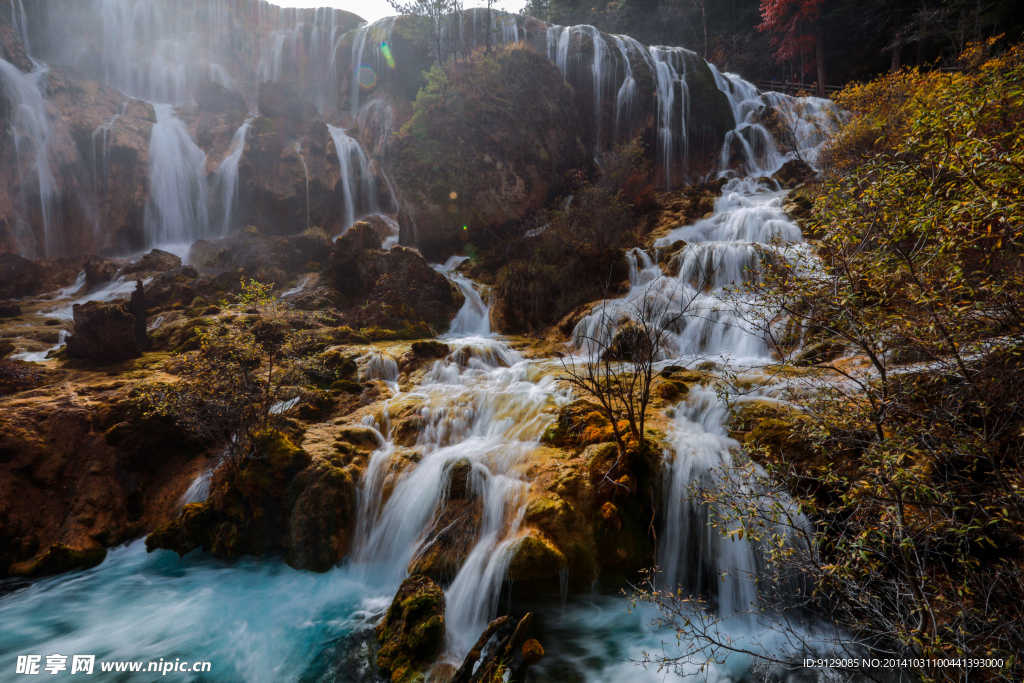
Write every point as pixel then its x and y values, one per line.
pixel 103 332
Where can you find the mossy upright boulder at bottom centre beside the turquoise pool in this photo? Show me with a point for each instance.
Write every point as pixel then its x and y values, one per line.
pixel 412 634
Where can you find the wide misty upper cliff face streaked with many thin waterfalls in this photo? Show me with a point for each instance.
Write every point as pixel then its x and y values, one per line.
pixel 79 176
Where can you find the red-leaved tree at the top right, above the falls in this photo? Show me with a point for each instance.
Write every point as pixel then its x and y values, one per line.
pixel 797 30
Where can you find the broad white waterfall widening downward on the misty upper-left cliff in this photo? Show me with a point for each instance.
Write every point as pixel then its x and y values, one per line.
pixel 177 214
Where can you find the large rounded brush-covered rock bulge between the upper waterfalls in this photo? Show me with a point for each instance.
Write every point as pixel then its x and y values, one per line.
pixel 489 160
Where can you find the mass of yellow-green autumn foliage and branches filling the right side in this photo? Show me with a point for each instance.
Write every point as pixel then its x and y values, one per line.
pixel 903 452
